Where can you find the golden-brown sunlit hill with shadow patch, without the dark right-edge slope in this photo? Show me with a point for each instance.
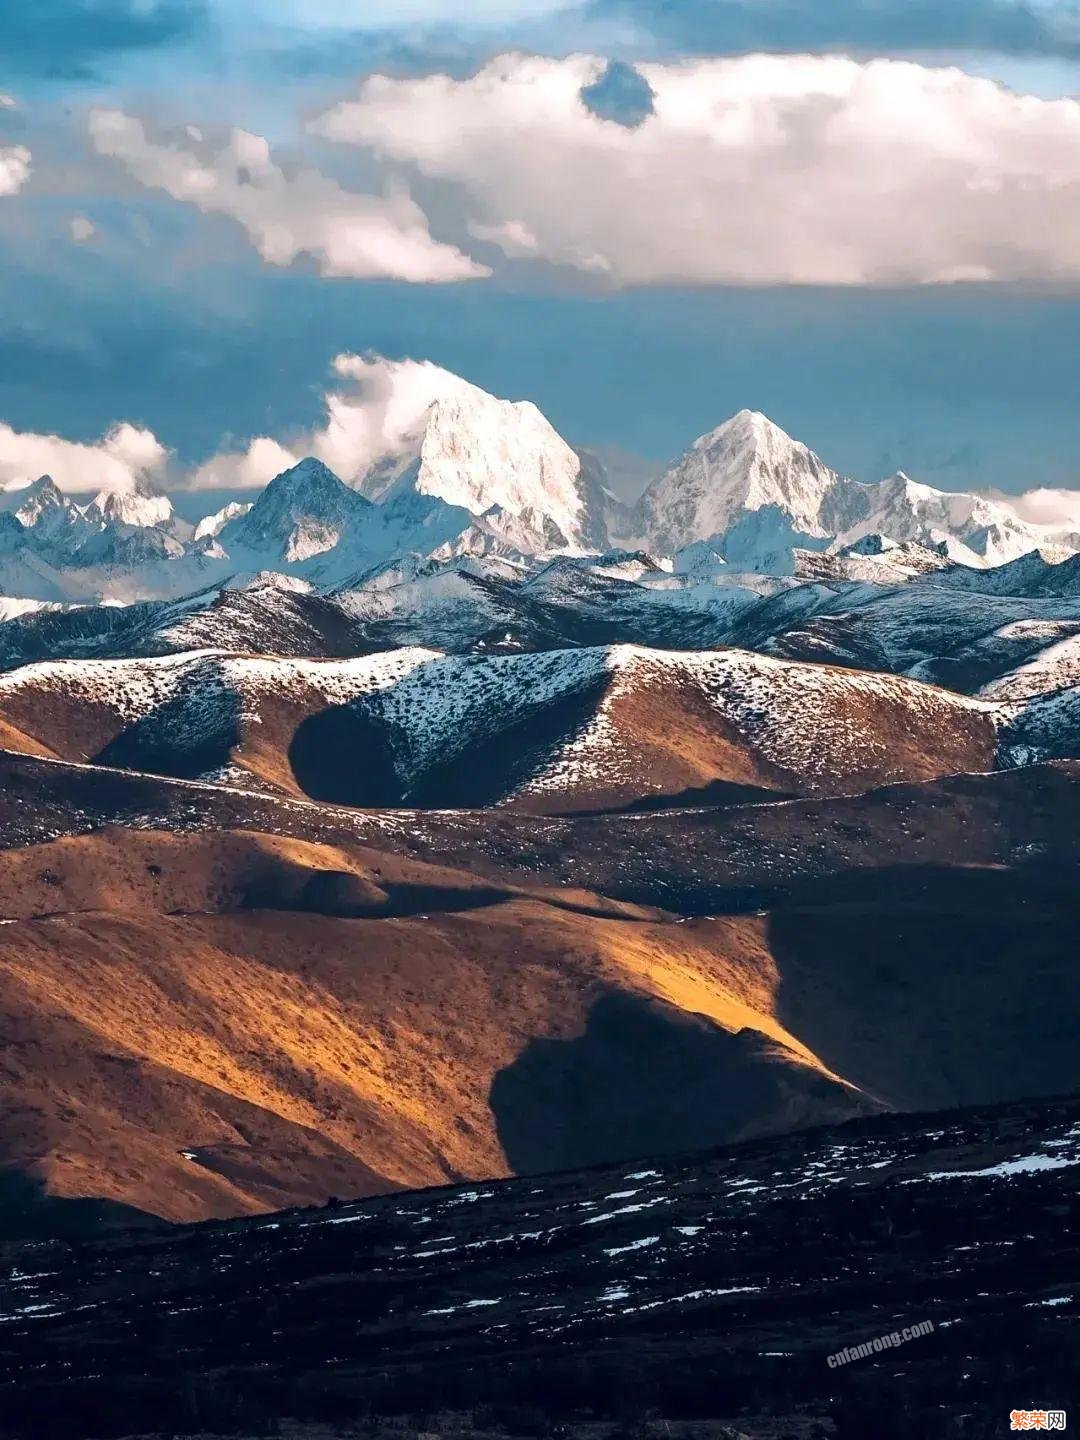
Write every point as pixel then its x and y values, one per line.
pixel 300 1055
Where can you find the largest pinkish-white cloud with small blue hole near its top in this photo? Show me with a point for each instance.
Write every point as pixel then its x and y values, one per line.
pixel 764 169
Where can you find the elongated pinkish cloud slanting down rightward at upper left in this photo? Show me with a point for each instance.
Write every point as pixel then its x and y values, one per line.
pixel 287 215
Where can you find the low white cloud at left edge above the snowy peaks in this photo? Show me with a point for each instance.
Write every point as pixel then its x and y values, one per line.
pixel 125 457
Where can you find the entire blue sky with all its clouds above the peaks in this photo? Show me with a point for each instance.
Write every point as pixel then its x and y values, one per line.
pixel 860 217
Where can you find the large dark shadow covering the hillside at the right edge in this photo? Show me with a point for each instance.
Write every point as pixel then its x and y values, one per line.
pixel 935 987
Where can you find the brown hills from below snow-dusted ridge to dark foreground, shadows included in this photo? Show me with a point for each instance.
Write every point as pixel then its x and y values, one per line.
pixel 208 1020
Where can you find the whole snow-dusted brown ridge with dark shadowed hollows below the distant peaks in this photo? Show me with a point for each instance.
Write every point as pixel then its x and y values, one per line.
pixel 555 732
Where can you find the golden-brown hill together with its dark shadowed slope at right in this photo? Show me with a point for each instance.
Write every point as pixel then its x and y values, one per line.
pixel 220 1023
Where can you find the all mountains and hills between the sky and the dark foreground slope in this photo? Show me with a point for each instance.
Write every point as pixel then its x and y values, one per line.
pixel 463 823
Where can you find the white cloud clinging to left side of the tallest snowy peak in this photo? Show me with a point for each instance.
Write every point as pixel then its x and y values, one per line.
pixel 371 418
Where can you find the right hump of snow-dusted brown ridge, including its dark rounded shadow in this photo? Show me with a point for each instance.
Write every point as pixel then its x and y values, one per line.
pixel 640 728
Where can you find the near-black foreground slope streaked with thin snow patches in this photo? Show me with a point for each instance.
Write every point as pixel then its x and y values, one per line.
pixel 627 1300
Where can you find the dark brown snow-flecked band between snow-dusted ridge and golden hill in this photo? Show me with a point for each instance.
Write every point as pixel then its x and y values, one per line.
pixel 692 860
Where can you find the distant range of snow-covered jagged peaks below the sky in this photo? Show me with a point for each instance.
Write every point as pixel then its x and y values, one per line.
pixel 492 479
